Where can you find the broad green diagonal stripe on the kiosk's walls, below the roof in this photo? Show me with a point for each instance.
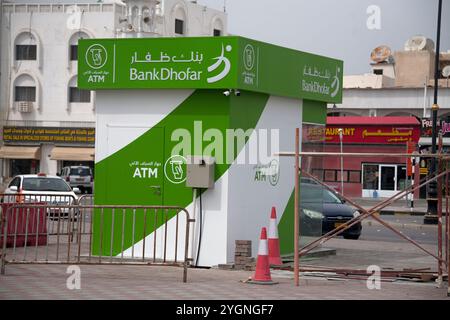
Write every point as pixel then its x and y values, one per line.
pixel 116 185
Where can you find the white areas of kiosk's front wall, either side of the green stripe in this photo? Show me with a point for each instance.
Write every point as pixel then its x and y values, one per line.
pixel 110 115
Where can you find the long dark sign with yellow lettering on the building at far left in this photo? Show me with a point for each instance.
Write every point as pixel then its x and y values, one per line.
pixel 55 135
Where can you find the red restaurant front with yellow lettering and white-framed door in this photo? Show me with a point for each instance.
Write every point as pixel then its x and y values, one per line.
pixel 376 176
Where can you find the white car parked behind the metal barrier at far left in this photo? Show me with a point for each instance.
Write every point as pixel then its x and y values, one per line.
pixel 41 188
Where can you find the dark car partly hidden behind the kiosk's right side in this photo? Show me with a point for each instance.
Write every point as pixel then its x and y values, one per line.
pixel 318 203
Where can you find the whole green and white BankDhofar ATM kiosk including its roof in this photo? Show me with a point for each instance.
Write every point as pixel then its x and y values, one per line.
pixel 161 100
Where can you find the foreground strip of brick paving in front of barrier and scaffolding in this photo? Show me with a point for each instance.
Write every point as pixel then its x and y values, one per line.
pixel 142 282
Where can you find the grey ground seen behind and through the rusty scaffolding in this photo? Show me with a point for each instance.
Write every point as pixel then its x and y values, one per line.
pixel 381 247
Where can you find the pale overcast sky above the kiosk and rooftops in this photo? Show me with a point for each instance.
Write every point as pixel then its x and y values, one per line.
pixel 335 28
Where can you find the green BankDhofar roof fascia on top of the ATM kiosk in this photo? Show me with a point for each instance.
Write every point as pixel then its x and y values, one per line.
pixel 208 63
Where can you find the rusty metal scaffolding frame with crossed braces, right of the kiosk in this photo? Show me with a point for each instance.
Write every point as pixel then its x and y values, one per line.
pixel 444 159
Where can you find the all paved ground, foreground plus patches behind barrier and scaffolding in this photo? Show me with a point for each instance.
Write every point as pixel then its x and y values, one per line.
pixel 377 246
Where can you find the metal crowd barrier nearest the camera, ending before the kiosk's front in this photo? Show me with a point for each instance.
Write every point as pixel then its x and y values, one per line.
pixel 94 234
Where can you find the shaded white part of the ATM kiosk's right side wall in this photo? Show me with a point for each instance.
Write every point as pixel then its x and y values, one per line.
pixel 250 201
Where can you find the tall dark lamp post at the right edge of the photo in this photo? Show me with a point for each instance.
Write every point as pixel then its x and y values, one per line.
pixel 432 201
